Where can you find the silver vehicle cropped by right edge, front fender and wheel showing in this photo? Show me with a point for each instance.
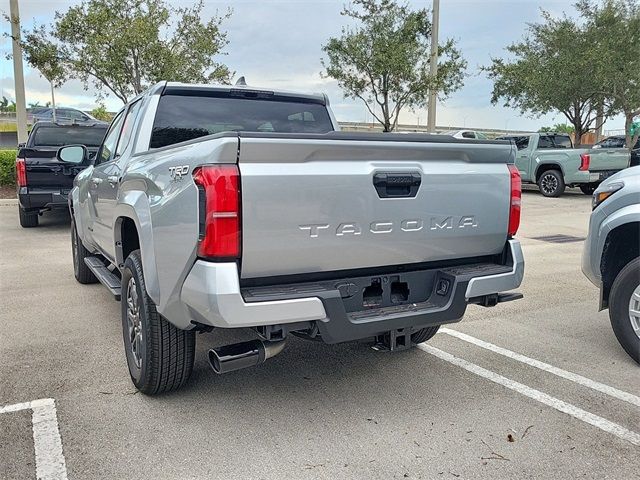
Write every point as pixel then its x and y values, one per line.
pixel 611 257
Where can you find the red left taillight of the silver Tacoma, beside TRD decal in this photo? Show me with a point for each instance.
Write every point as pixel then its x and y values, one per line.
pixel 219 187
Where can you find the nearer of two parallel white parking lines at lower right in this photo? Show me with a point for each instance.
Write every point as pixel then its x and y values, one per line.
pixel 564 407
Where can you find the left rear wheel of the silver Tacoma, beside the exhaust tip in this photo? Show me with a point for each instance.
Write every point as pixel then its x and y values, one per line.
pixel 165 354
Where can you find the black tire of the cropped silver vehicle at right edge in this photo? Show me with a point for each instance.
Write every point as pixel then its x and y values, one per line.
pixel 627 281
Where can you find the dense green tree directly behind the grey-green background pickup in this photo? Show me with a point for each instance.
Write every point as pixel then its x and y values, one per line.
pixel 550 70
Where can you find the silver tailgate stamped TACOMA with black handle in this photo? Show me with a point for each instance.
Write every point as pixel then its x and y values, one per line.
pixel 332 202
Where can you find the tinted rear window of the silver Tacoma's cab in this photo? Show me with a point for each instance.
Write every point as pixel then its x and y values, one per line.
pixel 180 118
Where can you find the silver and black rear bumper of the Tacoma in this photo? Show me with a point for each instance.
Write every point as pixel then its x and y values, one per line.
pixel 212 294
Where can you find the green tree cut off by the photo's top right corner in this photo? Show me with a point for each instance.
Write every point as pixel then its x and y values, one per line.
pixel 614 27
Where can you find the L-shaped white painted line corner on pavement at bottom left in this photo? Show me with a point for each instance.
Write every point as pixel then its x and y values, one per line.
pixel 50 463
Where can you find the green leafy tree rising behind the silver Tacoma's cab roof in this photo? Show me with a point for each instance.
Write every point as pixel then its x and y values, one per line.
pixel 124 46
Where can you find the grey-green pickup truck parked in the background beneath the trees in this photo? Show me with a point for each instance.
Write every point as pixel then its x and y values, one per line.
pixel 550 161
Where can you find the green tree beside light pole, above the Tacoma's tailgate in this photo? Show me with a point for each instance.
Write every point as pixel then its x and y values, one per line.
pixel 384 60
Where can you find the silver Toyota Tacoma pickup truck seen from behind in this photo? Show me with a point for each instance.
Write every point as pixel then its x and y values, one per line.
pixel 229 207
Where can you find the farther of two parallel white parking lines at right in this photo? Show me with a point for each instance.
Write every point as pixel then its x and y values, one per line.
pixel 579 379
